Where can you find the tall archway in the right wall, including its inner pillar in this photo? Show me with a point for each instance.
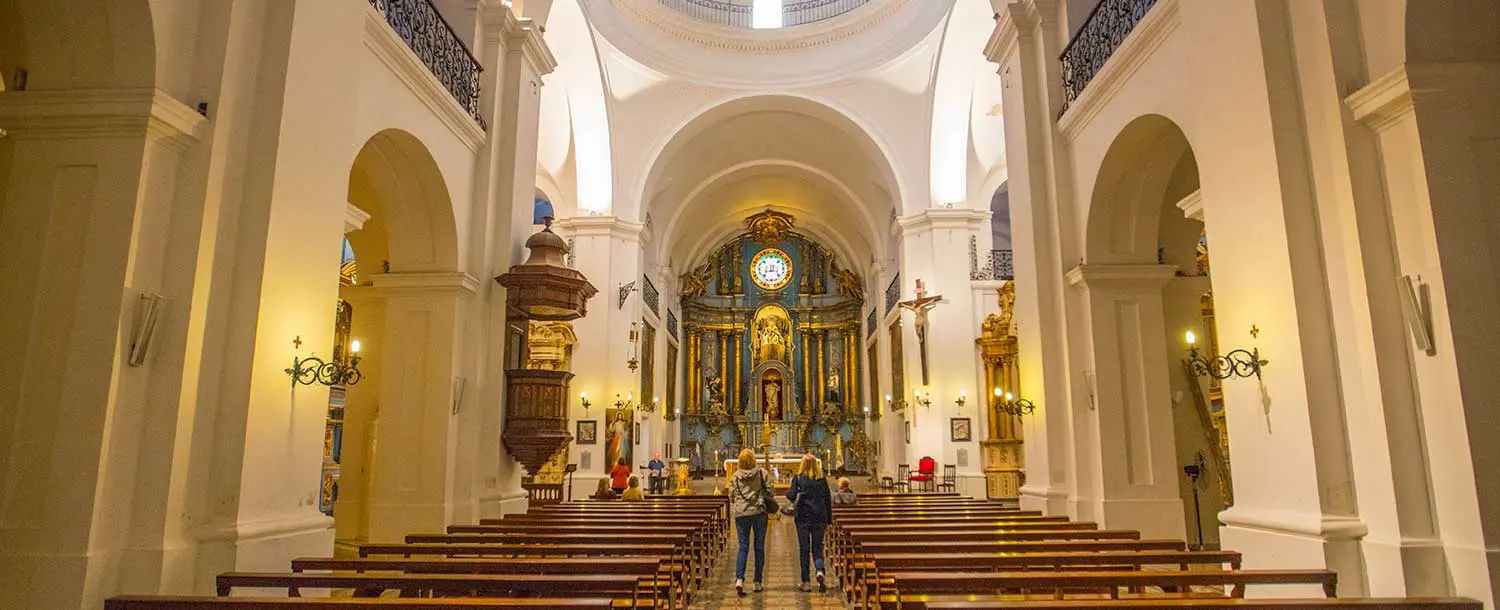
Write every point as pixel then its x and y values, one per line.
pixel 1147 283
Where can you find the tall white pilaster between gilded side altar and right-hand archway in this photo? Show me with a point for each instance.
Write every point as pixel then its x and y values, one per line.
pixel 1025 46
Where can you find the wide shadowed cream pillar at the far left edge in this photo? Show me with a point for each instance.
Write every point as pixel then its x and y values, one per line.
pixel 89 217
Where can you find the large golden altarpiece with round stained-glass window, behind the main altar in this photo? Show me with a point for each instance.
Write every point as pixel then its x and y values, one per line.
pixel 772 323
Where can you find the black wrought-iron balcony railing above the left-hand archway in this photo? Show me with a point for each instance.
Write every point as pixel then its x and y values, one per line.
pixel 436 44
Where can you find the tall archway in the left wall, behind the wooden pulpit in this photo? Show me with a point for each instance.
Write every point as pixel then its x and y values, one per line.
pixel 406 302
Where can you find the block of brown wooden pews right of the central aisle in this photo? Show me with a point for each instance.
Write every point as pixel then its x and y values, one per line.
pixel 950 552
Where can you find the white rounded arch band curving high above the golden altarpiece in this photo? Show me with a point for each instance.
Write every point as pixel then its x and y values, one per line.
pixel 707 116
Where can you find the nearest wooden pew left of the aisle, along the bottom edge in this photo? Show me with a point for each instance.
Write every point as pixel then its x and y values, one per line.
pixel 206 603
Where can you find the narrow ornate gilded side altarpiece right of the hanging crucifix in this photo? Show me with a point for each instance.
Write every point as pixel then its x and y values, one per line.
pixel 1003 446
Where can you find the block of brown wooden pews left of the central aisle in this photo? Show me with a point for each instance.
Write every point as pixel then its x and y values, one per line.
pixel 577 555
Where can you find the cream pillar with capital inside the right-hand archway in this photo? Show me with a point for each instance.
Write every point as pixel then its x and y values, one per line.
pixel 1126 447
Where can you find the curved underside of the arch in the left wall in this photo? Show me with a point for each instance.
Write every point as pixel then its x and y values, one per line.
pixel 412 226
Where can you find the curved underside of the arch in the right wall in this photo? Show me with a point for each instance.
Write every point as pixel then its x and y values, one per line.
pixel 1145 164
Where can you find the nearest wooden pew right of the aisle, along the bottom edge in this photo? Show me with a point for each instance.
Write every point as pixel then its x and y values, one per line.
pixel 1216 603
